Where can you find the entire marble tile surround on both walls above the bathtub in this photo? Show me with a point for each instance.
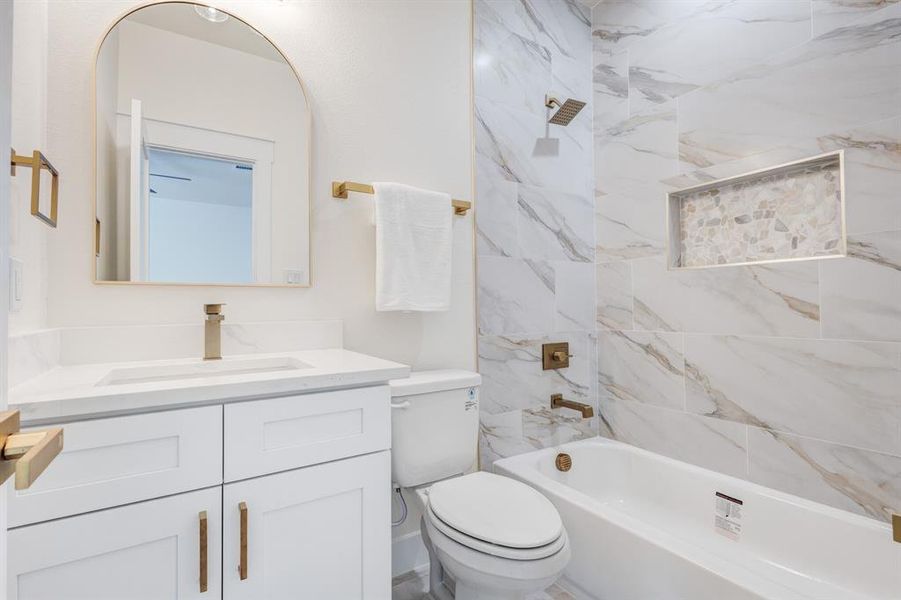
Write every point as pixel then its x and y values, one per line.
pixel 786 374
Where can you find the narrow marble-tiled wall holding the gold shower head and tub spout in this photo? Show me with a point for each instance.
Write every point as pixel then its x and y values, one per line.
pixel 535 222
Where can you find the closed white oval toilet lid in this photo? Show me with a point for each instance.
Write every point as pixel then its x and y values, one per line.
pixel 496 509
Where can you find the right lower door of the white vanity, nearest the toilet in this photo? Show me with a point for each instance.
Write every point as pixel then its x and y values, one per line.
pixel 318 533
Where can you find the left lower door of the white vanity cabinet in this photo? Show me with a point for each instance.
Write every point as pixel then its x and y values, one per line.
pixel 145 551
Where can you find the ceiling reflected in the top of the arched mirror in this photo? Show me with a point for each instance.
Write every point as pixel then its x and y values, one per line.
pixel 181 18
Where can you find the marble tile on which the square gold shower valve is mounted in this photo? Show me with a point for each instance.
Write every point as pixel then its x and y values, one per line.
pixel 512 377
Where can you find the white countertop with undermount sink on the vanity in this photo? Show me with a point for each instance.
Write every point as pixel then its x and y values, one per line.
pixel 69 393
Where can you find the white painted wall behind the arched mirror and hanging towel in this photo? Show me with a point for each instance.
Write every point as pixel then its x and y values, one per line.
pixel 389 85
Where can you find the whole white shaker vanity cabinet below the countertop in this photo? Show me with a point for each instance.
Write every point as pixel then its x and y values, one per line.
pixel 118 515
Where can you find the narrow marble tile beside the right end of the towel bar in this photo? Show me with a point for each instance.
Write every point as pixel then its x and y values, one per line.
pixel 496 233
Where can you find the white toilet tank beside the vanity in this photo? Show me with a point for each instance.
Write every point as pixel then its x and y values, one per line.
pixel 434 425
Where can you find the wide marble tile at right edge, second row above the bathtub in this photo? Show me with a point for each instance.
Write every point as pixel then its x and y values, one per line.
pixel 846 392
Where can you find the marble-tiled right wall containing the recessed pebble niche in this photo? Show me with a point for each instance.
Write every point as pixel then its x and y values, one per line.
pixel 788 375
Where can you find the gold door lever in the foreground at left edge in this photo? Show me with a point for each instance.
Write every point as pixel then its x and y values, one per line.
pixel 29 453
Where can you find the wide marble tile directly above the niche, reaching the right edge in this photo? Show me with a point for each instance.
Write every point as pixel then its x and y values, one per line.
pixel 837 81
